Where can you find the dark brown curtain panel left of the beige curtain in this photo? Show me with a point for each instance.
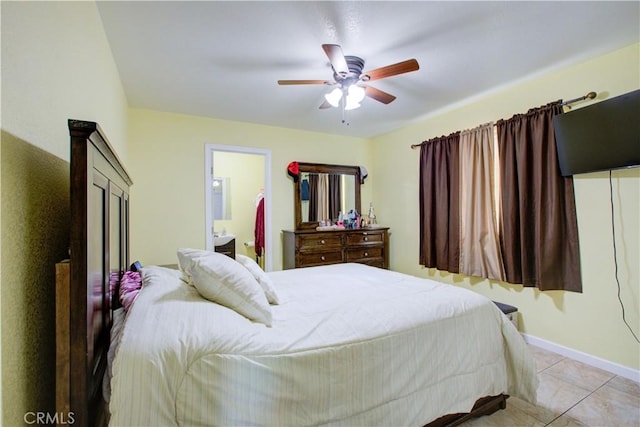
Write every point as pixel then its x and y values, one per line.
pixel 439 203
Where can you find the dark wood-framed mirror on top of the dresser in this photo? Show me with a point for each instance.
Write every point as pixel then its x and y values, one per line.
pixel 323 191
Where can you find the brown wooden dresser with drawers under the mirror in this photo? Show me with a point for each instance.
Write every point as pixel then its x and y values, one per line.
pixel 306 248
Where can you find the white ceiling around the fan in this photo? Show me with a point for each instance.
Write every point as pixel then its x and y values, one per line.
pixel 223 59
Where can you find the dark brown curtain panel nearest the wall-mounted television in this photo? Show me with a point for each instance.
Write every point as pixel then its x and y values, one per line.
pixel 539 227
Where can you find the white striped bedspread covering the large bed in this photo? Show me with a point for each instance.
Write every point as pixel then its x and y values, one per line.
pixel 349 345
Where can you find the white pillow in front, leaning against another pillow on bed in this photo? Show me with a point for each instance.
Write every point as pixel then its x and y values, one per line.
pixel 220 279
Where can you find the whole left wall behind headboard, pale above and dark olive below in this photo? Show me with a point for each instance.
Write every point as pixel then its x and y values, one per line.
pixel 56 65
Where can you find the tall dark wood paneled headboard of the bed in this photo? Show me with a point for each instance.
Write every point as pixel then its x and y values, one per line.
pixel 99 246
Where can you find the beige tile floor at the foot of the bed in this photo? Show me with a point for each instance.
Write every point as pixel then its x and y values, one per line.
pixel 571 394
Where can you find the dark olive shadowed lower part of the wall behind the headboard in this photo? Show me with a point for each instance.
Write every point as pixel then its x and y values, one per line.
pixel 35 232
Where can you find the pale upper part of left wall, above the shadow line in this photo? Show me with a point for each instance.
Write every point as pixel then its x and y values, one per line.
pixel 57 65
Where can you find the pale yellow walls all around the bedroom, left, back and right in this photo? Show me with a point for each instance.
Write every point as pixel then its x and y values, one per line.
pixel 56 64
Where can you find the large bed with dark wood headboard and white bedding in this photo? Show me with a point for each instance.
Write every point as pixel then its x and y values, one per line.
pixel 346 344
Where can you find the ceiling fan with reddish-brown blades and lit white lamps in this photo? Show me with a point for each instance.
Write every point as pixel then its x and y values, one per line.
pixel 350 82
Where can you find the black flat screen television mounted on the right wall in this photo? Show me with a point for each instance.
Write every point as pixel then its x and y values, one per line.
pixel 599 137
